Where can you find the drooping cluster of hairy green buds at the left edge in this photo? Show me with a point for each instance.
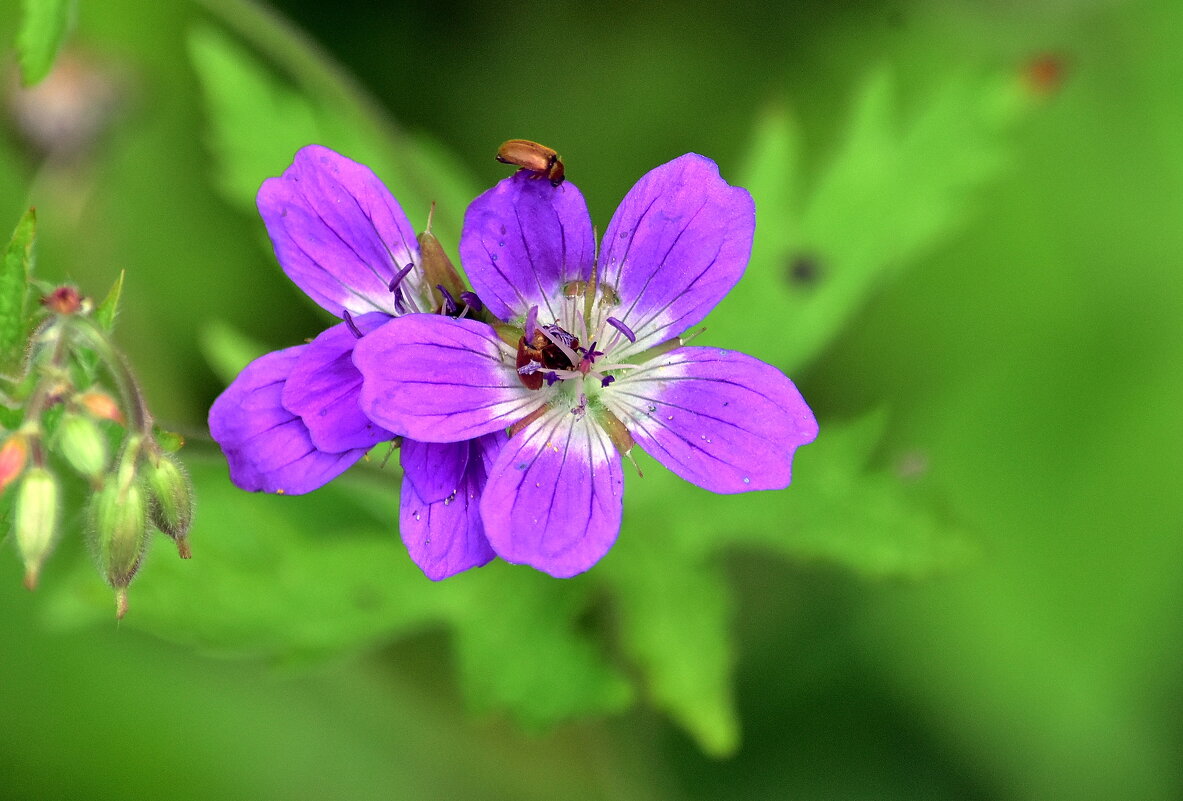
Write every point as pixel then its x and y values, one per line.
pixel 82 417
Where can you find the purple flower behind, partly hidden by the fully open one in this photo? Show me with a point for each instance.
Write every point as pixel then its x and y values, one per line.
pixel 292 421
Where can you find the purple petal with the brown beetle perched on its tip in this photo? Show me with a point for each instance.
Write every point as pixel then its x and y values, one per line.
pixel 522 242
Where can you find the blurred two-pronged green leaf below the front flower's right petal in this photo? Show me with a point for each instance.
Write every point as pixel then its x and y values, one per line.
pixel 675 606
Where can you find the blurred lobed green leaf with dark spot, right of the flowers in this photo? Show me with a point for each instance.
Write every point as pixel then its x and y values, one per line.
pixel 893 191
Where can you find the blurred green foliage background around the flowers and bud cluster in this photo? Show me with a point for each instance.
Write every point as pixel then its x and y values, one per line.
pixel 968 256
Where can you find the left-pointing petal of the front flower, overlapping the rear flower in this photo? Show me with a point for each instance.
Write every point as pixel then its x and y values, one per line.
pixel 442 380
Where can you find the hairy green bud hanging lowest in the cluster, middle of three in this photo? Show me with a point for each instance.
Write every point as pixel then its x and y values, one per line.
pixel 119 520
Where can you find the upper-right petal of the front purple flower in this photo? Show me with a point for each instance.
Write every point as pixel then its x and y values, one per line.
pixel 677 244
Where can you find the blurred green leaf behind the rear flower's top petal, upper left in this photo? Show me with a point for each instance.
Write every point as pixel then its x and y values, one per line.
pixel 258 122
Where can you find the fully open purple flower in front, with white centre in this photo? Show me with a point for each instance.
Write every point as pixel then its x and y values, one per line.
pixel 591 361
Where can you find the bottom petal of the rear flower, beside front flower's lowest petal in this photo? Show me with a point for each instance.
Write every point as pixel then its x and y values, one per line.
pixel 447 537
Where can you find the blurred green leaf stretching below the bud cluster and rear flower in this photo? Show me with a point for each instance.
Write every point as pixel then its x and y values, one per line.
pixel 315 577
